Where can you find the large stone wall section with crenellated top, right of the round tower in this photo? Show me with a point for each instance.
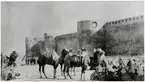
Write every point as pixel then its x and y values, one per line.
pixel 125 37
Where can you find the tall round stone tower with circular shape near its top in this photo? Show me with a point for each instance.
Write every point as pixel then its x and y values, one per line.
pixel 85 30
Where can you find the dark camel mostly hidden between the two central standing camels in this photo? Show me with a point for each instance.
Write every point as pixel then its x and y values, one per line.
pixel 61 59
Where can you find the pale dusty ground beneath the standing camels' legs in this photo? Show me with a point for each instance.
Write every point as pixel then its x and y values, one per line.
pixel 31 73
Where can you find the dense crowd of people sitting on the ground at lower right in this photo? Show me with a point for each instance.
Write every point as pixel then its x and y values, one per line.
pixel 118 70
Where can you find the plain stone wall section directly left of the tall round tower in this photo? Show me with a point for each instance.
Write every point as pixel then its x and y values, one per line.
pixel 66 41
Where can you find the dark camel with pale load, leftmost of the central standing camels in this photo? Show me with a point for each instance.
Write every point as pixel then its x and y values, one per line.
pixel 51 58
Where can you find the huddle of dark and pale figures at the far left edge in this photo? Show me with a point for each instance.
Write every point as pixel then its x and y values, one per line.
pixel 8 64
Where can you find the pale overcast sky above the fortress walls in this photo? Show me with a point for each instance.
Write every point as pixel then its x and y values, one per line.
pixel 33 19
